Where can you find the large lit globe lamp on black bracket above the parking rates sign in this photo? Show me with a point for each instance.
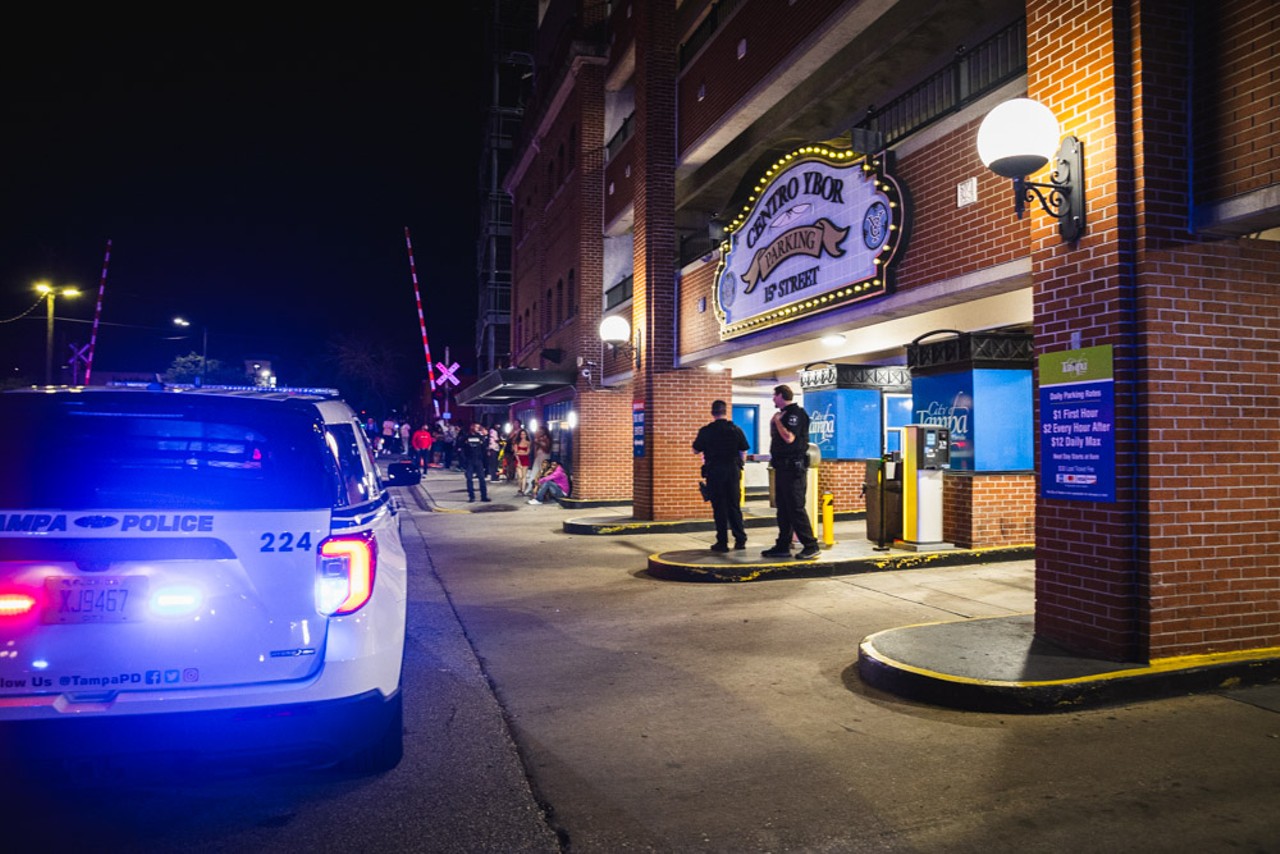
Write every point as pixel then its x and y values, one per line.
pixel 1021 138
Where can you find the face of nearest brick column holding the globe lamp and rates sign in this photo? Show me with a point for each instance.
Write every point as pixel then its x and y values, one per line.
pixel 1087 581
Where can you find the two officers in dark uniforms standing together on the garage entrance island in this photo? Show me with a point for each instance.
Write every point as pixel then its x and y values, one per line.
pixel 724 449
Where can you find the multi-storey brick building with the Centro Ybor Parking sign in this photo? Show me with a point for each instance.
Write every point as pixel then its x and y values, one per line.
pixel 778 191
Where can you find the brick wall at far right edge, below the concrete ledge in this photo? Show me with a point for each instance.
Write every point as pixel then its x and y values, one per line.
pixel 1212 409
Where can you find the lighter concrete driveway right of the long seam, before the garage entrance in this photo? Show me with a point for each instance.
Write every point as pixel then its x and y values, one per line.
pixel 659 716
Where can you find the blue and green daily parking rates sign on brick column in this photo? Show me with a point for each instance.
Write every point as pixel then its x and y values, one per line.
pixel 1078 450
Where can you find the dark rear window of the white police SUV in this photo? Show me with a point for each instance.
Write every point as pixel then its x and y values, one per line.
pixel 162 451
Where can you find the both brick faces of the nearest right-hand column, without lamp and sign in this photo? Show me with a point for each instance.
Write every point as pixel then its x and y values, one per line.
pixel 1183 563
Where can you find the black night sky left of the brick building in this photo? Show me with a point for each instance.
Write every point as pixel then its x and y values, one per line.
pixel 254 177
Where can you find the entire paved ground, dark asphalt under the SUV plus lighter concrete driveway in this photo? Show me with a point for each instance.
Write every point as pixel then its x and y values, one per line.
pixel 559 698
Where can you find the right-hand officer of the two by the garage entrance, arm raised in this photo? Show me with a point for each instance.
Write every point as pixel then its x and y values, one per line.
pixel 789 451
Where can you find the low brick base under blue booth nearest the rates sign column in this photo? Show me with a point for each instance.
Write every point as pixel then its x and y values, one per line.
pixel 988 510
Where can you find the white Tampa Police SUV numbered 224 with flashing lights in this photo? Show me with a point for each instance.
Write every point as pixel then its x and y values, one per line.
pixel 196 570
